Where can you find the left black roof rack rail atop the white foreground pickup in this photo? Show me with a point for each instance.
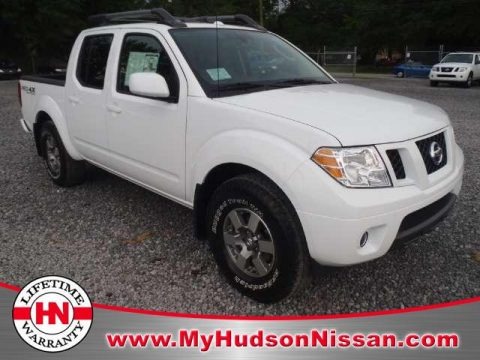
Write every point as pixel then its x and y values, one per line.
pixel 158 15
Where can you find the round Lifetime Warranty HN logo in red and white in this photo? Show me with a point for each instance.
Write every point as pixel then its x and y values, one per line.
pixel 52 314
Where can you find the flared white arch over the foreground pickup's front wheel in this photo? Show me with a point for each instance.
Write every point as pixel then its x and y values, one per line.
pixel 271 155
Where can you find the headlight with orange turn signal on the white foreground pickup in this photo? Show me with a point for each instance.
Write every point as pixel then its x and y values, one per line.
pixel 357 167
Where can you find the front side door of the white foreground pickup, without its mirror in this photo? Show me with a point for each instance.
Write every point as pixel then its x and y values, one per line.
pixel 146 136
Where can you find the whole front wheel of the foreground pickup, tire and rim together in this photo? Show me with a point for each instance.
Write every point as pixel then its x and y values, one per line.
pixel 257 239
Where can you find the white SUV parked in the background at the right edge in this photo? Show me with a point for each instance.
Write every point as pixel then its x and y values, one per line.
pixel 460 68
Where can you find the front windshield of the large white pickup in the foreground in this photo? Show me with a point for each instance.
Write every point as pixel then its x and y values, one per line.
pixel 246 61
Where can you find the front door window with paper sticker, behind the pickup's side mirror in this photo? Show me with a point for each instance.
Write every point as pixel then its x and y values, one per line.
pixel 144 53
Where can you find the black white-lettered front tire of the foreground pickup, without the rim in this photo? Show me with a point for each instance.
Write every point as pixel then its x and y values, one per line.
pixel 258 194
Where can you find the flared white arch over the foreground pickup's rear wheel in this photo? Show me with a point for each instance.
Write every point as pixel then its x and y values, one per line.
pixel 49 106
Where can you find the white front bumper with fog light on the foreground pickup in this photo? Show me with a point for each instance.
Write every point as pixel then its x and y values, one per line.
pixel 335 218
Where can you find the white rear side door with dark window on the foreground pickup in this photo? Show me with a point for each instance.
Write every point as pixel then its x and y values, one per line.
pixel 86 95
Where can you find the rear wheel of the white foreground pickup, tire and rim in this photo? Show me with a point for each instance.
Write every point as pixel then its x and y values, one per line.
pixel 62 169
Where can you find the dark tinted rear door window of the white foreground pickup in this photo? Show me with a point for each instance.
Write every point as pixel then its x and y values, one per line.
pixel 92 61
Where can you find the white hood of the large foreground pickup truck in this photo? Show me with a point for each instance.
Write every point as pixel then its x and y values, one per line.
pixel 353 114
